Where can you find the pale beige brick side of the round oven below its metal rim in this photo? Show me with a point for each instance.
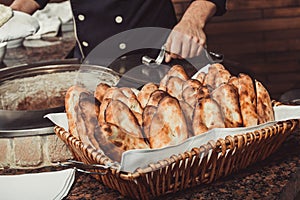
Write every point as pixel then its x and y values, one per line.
pixel 32 151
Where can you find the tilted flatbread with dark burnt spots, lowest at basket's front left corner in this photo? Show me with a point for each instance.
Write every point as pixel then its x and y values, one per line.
pixel 114 140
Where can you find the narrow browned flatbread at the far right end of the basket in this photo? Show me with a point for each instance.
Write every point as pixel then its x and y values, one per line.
pixel 265 110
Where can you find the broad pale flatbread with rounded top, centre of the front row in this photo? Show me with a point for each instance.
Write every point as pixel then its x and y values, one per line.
pixel 168 126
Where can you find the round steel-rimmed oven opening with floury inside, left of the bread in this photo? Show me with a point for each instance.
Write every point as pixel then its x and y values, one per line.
pixel 48 79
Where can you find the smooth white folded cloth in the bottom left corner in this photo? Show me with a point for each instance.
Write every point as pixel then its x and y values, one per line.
pixel 46 185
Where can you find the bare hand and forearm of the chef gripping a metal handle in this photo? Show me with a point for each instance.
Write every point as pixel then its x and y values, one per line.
pixel 187 37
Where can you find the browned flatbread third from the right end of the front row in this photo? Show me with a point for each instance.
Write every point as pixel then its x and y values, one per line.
pixel 227 97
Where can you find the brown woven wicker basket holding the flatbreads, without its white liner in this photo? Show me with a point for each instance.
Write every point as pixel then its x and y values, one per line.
pixel 186 169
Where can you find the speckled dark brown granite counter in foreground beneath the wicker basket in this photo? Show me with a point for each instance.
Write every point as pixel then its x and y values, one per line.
pixel 276 178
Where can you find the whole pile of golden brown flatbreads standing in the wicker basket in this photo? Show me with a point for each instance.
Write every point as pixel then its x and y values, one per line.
pixel 115 120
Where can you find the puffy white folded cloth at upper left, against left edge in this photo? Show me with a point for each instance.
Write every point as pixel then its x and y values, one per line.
pixel 19 26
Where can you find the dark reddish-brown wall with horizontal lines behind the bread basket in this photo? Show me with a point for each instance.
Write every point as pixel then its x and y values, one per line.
pixel 259 37
